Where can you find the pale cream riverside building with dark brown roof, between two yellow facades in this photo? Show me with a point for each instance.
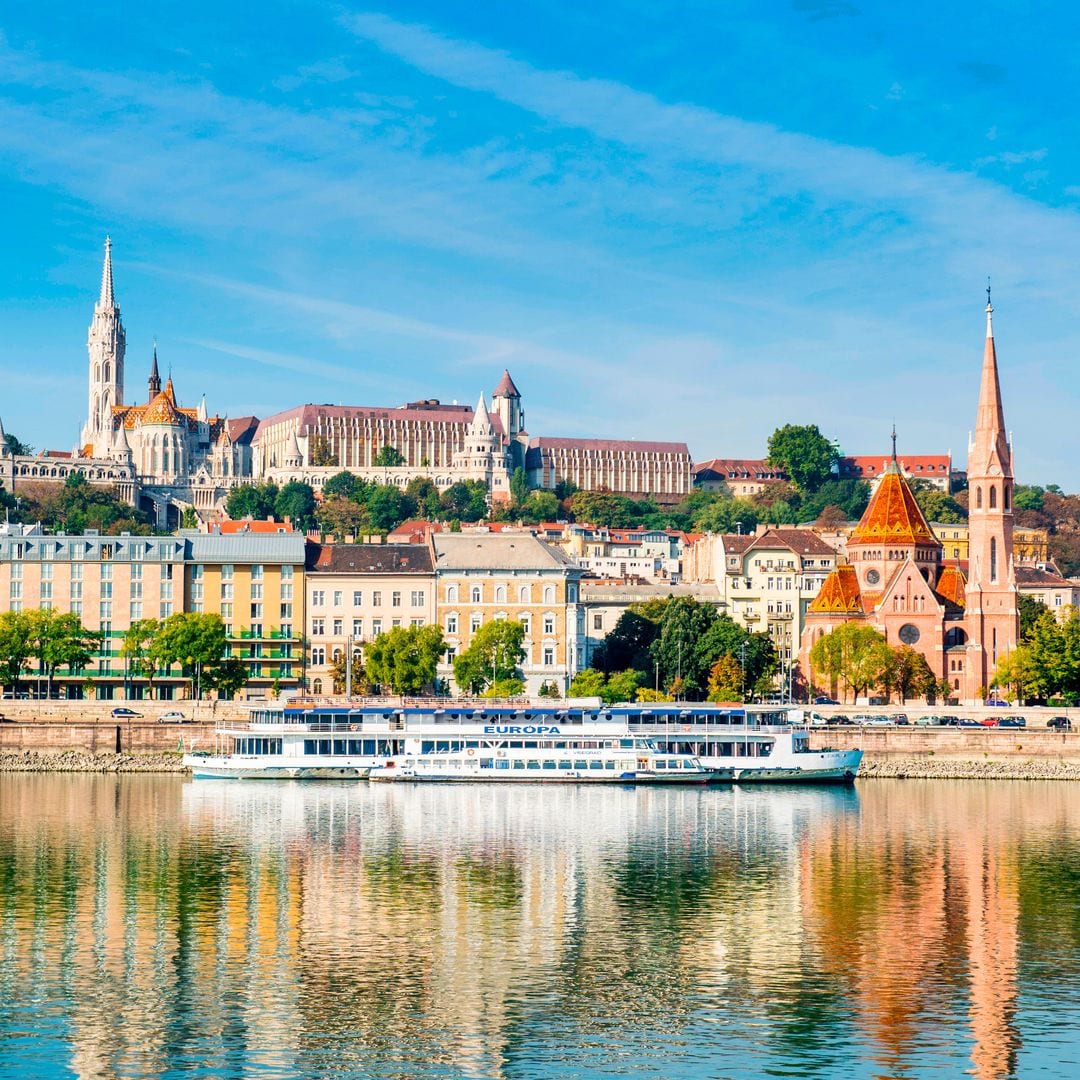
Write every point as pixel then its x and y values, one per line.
pixel 356 592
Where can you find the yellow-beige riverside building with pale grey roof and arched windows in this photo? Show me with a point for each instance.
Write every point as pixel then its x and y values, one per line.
pixel 481 577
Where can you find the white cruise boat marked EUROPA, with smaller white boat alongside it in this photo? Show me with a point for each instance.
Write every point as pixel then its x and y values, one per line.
pixel 573 742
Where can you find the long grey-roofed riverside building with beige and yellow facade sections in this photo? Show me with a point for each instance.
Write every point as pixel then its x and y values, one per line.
pixel 255 584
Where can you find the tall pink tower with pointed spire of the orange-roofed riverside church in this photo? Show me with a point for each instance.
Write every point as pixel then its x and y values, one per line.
pixel 992 619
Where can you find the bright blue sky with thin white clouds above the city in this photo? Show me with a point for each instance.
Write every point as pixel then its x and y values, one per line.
pixel 686 222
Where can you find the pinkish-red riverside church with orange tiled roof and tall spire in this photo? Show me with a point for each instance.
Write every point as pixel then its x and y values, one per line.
pixel 896 580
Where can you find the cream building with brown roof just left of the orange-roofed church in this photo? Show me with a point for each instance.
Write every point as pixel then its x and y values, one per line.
pixel 766 582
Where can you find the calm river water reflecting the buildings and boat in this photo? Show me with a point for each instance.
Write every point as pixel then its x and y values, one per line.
pixel 157 927
